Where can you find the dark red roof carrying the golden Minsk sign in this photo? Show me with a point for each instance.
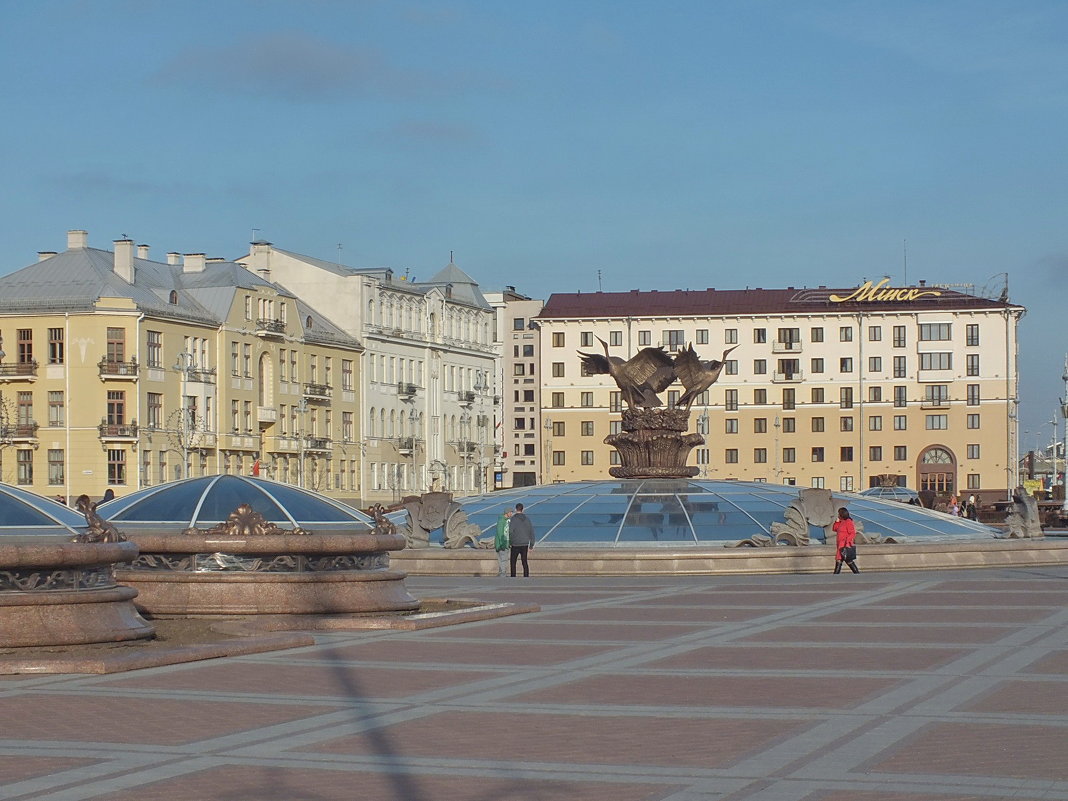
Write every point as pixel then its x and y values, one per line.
pixel 729 303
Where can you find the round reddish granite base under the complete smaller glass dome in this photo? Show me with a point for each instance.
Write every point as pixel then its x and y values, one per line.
pixel 201 574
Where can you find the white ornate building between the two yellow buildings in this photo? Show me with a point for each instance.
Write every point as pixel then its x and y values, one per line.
pixel 429 400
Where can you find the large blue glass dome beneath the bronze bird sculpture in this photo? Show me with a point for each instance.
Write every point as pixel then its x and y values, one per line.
pixel 695 512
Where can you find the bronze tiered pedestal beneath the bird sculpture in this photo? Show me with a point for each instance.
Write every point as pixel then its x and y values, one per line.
pixel 654 445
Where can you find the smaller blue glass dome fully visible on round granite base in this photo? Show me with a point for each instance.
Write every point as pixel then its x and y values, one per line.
pixel 210 500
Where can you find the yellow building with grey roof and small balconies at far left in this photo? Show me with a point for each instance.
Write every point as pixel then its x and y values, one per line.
pixel 120 372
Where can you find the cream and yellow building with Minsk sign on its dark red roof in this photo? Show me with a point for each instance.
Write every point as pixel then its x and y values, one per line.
pixel 825 388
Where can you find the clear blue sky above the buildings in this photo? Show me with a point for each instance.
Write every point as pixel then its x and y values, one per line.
pixel 560 146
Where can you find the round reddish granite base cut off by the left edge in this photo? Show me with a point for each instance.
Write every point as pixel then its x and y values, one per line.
pixel 67 594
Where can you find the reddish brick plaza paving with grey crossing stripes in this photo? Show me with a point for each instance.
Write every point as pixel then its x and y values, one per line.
pixel 934 686
